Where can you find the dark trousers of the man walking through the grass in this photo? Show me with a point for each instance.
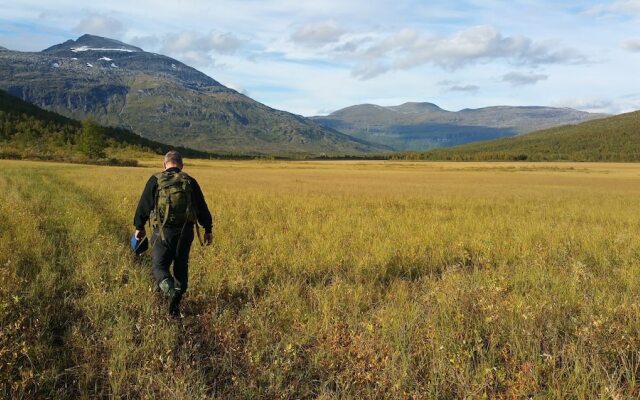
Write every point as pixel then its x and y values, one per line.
pixel 173 249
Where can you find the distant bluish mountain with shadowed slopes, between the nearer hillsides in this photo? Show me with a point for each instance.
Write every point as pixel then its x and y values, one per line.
pixel 420 126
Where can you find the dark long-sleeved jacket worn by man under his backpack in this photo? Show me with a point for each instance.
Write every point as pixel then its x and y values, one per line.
pixel 147 204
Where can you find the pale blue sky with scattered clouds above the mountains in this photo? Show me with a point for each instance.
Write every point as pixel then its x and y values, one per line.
pixel 315 57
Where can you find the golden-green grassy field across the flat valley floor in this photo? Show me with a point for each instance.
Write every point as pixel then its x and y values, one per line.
pixel 328 280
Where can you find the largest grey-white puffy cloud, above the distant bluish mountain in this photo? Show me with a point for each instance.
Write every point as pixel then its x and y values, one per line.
pixel 409 48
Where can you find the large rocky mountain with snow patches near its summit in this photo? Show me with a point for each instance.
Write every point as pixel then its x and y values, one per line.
pixel 161 99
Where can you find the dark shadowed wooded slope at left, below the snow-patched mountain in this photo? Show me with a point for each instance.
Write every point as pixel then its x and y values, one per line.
pixel 27 131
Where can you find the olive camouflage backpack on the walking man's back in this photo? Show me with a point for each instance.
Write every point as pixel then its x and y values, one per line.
pixel 173 204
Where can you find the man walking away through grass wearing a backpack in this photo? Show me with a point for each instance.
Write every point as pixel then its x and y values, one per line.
pixel 174 203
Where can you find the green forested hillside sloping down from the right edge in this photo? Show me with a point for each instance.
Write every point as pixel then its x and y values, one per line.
pixel 610 139
